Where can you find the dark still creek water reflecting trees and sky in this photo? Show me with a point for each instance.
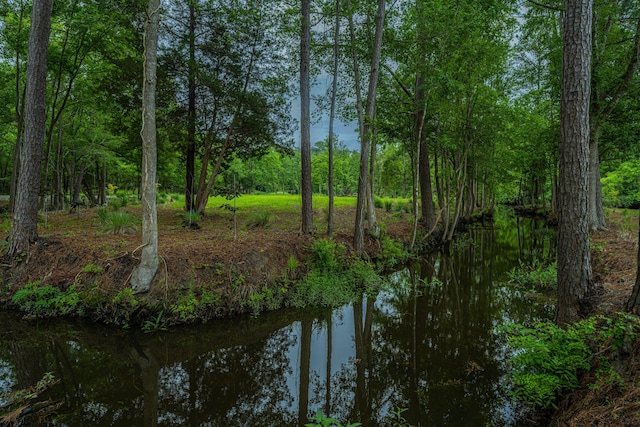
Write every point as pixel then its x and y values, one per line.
pixel 427 347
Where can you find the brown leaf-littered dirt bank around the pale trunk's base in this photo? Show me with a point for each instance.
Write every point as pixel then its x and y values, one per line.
pixel 74 251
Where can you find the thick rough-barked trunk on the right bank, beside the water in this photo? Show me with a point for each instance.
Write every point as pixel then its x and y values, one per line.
pixel 574 258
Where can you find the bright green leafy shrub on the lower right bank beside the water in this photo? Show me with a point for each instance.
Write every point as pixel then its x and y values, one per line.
pixel 546 359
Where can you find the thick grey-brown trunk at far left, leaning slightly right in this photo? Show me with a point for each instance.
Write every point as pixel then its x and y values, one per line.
pixel 24 229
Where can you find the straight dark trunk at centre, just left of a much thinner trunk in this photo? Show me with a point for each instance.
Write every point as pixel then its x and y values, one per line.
pixel 305 119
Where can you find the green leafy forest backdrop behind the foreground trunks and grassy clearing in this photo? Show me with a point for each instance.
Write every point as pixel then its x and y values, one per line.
pixel 477 82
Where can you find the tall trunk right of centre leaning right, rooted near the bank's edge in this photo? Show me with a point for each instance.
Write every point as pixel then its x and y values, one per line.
pixel 365 148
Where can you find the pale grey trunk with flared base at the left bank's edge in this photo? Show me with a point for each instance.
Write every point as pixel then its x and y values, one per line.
pixel 144 272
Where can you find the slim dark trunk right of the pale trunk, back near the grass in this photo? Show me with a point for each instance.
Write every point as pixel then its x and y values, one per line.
pixel 191 124
